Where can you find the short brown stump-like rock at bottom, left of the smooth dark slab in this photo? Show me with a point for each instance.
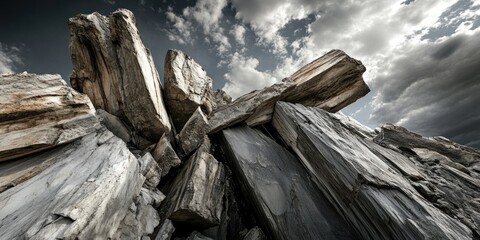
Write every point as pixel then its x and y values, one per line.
pixel 196 195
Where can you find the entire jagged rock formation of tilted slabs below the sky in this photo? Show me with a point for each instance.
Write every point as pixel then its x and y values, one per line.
pixel 108 164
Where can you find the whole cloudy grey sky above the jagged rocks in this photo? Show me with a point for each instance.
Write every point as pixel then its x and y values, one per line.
pixel 422 56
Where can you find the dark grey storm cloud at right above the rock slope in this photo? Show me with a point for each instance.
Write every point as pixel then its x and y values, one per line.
pixel 434 89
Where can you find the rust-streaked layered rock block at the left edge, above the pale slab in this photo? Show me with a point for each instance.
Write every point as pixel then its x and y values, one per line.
pixel 38 112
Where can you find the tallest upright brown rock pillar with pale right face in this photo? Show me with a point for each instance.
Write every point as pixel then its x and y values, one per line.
pixel 113 67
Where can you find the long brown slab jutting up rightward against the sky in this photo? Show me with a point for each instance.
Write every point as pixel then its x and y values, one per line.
pixel 331 82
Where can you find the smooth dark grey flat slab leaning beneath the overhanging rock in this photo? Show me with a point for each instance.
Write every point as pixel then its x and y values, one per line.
pixel 286 201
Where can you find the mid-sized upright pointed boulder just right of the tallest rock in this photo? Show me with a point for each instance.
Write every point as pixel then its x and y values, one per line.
pixel 187 87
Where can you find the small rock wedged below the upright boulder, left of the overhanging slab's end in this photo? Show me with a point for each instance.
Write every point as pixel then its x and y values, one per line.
pixel 191 136
